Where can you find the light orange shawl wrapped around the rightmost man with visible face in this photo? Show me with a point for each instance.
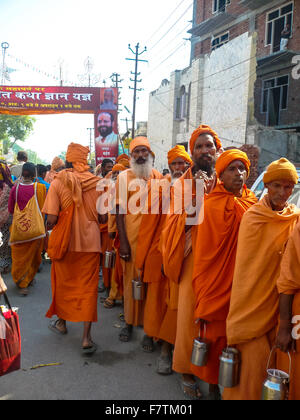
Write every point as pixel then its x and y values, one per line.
pixel 254 299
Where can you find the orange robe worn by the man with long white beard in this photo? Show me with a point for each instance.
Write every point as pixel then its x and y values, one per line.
pixel 133 310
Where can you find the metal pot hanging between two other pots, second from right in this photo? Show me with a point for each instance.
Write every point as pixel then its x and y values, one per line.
pixel 229 373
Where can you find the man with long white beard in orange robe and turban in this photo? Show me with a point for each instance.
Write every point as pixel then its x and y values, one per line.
pixel 132 190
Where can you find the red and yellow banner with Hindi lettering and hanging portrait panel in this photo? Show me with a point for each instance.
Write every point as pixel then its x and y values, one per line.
pixel 102 102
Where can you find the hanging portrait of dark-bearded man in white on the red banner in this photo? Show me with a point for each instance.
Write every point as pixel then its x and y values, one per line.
pixel 107 142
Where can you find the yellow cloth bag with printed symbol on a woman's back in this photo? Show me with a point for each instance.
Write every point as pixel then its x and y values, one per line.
pixel 28 224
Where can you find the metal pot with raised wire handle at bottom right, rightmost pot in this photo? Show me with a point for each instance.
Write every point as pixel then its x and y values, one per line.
pixel 276 386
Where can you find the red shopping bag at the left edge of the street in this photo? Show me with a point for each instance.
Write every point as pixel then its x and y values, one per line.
pixel 10 340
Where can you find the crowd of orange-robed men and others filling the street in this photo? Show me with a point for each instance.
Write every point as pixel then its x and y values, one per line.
pixel 231 277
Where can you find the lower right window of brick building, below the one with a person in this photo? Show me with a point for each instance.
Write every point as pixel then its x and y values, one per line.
pixel 275 99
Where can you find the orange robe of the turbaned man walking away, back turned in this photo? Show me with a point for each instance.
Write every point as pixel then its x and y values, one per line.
pixel 75 269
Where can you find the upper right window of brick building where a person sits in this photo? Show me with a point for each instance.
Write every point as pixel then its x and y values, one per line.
pixel 276 22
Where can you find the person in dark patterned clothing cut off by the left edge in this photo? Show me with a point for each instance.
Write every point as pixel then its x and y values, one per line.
pixel 5 218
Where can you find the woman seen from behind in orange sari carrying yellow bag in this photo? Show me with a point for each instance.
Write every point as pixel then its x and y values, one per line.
pixel 28 230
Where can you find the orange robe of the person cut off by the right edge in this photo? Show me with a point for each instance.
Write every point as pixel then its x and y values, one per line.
pixel 289 284
